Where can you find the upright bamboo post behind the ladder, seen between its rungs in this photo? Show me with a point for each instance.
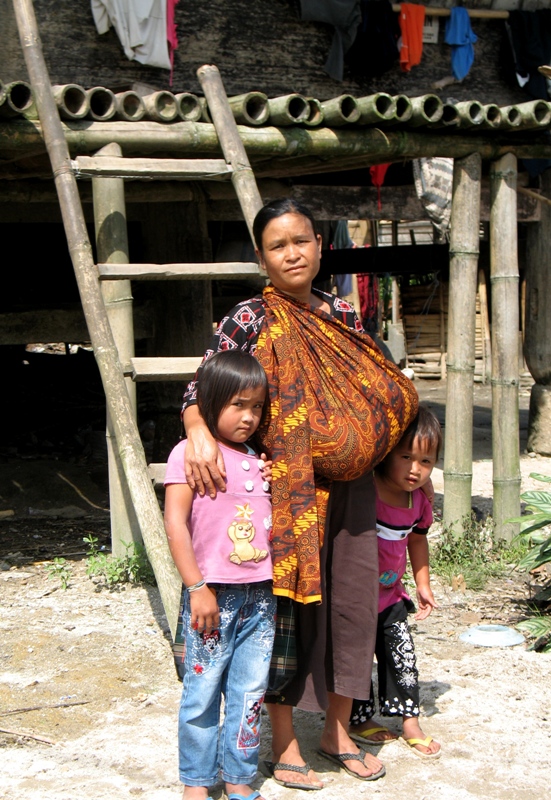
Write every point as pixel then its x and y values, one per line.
pixel 112 248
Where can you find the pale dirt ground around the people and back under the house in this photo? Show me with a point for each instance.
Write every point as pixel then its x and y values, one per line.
pixel 89 695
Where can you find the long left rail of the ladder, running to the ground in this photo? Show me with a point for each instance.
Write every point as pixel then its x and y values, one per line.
pixel 118 402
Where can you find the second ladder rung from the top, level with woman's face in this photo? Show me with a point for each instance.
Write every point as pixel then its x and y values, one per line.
pixel 163 272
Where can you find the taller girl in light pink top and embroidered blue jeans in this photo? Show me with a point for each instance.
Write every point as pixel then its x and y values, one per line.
pixel 221 547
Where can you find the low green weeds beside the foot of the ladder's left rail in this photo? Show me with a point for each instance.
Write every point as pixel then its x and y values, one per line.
pixel 133 567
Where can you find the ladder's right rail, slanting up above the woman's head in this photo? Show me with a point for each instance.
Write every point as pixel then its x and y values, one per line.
pixel 242 176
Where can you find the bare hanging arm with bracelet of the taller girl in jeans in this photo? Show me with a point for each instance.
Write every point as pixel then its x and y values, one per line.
pixel 204 607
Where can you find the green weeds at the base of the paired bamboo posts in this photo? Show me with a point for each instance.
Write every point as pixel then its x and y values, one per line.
pixel 473 553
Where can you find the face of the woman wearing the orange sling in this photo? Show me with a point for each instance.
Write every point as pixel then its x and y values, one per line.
pixel 291 254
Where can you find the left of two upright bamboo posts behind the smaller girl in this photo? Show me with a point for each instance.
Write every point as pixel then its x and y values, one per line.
pixel 458 452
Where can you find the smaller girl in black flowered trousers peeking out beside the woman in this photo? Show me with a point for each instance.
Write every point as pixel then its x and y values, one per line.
pixel 404 516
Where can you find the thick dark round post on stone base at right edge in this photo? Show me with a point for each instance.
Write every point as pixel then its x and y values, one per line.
pixel 537 341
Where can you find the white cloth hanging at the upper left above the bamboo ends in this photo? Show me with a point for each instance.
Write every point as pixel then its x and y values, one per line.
pixel 140 25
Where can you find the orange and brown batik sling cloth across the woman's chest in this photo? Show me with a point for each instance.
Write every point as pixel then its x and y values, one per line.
pixel 337 407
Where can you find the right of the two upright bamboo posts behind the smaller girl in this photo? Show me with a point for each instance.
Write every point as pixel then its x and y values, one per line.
pixel 504 281
